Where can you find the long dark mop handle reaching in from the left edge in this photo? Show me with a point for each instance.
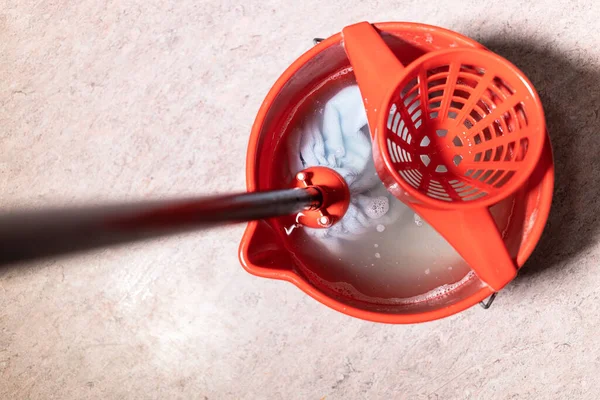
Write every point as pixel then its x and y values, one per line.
pixel 27 235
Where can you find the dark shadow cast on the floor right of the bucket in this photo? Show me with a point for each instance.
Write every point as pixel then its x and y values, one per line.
pixel 570 91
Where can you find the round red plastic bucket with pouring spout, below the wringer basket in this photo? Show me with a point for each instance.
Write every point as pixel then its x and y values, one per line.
pixel 266 250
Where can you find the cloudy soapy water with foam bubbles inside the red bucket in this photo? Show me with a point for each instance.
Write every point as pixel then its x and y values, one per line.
pixel 397 258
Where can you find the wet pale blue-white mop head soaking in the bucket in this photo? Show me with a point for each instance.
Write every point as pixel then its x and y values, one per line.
pixel 340 140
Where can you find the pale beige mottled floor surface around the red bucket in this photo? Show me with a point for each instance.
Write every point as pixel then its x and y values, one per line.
pixel 116 100
